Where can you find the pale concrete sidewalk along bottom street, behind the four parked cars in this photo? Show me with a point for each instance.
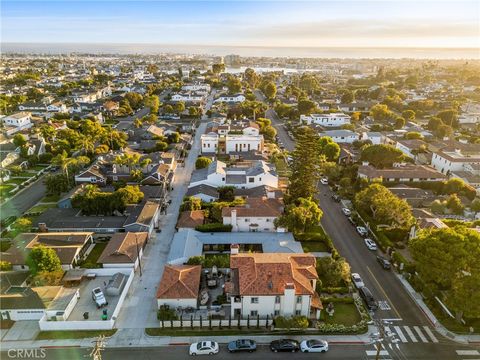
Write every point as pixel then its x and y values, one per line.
pixel 125 338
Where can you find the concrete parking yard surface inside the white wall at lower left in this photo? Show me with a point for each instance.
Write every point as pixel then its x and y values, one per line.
pixel 86 303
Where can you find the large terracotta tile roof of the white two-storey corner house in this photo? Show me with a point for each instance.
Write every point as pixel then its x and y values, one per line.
pixel 270 274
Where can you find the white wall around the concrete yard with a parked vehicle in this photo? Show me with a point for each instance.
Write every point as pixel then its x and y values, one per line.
pixel 46 325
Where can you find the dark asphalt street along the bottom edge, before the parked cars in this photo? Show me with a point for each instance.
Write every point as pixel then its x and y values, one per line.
pixel 341 352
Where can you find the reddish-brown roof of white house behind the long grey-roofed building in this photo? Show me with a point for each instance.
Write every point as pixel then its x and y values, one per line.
pixel 257 207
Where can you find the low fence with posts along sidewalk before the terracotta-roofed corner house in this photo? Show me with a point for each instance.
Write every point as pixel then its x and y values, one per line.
pixel 223 323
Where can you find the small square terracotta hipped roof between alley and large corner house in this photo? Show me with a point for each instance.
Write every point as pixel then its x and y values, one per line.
pixel 179 282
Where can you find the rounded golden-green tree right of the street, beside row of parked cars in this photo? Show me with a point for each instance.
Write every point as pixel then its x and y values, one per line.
pixel 385 207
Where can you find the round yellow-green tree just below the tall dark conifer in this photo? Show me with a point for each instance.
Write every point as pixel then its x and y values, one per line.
pixel 300 216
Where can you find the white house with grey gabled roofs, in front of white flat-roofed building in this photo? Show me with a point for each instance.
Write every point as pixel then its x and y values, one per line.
pixel 243 176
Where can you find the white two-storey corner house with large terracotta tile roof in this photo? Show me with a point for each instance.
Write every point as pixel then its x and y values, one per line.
pixel 275 284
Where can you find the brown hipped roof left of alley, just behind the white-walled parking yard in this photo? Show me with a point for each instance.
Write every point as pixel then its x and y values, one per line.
pixel 122 248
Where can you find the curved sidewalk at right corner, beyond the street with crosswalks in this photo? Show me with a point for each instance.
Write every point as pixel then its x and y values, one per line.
pixel 417 298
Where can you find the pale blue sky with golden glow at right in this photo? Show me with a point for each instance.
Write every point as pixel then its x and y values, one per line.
pixel 396 23
